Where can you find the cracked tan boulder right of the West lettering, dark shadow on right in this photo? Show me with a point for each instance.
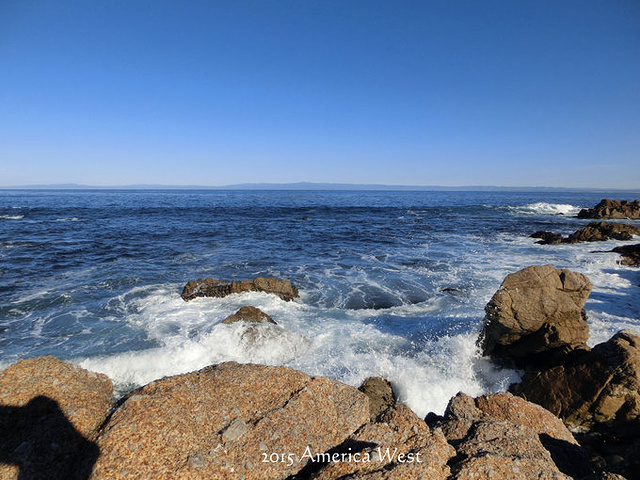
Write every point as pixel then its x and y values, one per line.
pixel 503 436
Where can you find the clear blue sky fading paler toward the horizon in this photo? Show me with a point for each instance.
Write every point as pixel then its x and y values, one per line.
pixel 449 92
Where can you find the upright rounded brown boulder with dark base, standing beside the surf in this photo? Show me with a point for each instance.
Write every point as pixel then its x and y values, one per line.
pixel 536 316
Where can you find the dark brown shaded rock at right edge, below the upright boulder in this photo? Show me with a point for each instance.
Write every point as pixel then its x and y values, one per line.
pixel 601 386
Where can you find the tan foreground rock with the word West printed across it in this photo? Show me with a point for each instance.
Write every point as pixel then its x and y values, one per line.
pixel 399 446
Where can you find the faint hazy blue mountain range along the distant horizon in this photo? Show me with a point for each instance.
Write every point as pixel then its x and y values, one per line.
pixel 312 186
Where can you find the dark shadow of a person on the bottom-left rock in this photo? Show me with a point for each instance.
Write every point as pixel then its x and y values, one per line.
pixel 40 441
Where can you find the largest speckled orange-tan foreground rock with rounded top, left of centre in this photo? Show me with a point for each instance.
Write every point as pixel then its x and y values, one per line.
pixel 228 421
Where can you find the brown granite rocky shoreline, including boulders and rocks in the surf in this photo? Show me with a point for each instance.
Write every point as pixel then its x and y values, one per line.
pixel 574 414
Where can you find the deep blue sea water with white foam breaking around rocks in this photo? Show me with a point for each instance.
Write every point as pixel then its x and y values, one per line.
pixel 392 283
